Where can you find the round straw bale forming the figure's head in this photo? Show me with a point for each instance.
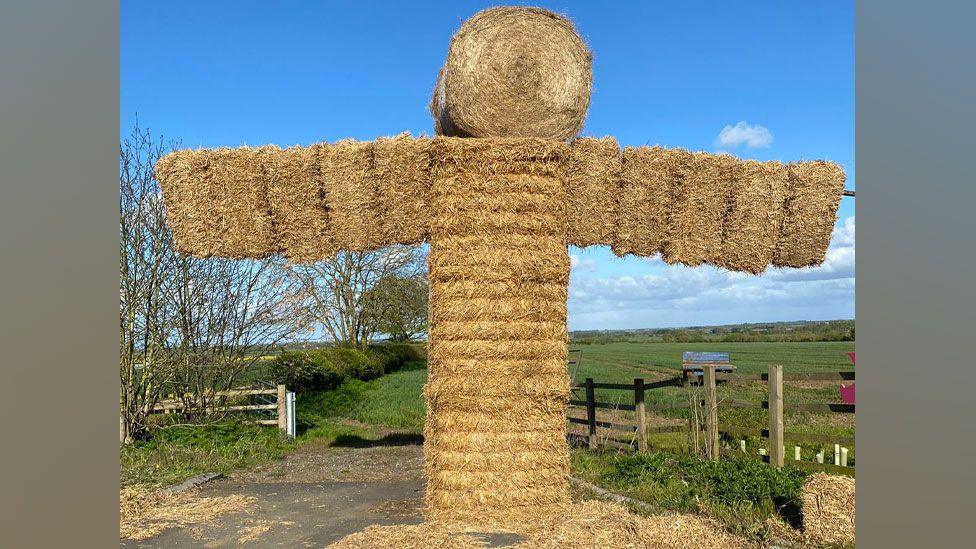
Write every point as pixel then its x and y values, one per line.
pixel 514 72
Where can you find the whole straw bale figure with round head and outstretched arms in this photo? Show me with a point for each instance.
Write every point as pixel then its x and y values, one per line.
pixel 499 194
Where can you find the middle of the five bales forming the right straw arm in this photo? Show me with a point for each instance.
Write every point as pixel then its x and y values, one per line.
pixel 700 201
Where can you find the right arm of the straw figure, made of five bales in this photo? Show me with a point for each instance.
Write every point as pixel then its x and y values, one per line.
pixel 697 208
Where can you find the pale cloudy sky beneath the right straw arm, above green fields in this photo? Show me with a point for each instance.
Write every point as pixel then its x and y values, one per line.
pixel 677 295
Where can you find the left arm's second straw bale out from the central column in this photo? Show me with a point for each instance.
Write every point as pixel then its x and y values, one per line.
pixel 351 195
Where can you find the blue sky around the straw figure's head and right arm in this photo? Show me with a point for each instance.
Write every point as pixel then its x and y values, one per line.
pixel 764 80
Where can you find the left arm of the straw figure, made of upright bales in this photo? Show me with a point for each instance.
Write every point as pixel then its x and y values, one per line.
pixel 305 202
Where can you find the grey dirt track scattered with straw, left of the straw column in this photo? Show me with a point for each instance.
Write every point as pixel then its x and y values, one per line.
pixel 313 497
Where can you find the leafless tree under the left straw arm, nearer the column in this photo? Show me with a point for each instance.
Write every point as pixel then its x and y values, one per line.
pixel 335 293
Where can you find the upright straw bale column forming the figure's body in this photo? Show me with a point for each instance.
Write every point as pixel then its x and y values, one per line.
pixel 494 441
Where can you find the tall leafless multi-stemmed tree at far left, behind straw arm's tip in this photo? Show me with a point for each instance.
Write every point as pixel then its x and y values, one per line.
pixel 187 326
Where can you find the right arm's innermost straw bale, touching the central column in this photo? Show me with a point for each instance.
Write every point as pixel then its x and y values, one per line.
pixel 592 176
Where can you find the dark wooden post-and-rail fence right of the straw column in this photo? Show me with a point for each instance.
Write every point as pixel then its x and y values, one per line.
pixel 776 434
